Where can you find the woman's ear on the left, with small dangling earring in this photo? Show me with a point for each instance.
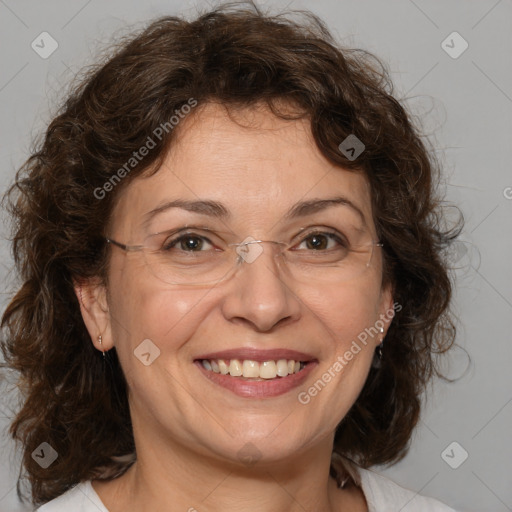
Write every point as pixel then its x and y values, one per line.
pixel 92 297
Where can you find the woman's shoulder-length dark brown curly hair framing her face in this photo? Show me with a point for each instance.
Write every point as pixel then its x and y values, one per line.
pixel 238 57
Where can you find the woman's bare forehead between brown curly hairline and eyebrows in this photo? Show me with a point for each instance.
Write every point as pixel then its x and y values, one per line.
pixel 254 163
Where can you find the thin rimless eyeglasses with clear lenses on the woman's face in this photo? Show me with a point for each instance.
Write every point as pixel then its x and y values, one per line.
pixel 194 257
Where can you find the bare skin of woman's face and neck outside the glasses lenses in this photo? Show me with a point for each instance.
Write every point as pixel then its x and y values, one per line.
pixel 189 430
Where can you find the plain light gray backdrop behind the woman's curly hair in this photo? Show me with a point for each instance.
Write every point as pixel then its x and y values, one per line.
pixel 463 103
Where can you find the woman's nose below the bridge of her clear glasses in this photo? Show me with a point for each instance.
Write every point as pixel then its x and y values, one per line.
pixel 258 292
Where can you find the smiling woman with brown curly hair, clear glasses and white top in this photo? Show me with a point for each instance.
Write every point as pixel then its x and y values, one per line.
pixel 232 284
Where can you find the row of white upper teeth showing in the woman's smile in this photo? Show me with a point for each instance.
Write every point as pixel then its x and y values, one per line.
pixel 254 369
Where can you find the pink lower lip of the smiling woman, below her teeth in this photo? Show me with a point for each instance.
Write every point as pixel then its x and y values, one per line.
pixel 258 388
